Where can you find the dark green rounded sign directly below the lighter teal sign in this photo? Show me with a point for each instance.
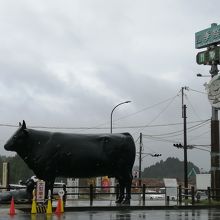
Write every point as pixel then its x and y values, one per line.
pixel 209 57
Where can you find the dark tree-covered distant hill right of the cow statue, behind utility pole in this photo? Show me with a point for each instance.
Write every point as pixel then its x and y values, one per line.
pixel 171 168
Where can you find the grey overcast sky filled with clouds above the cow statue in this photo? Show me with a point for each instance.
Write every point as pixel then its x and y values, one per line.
pixel 66 64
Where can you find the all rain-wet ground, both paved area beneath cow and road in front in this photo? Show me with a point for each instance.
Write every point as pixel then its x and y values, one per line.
pixel 107 210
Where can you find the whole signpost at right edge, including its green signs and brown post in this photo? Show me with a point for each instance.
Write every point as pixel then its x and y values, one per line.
pixel 210 38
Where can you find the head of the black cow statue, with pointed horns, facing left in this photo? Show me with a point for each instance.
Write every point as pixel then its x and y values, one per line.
pixel 17 139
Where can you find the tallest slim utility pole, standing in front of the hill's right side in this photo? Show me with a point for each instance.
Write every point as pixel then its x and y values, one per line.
pixel 185 142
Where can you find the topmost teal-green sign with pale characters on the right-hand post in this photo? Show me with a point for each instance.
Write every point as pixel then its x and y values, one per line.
pixel 208 36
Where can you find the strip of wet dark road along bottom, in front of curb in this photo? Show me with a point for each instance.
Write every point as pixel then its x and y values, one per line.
pixel 192 214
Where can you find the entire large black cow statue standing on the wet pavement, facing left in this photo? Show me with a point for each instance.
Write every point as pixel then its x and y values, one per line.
pixel 53 154
